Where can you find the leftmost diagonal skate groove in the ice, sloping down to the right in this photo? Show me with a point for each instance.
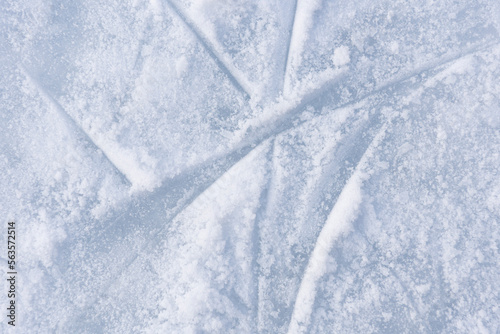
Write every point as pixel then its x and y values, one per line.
pixel 70 121
